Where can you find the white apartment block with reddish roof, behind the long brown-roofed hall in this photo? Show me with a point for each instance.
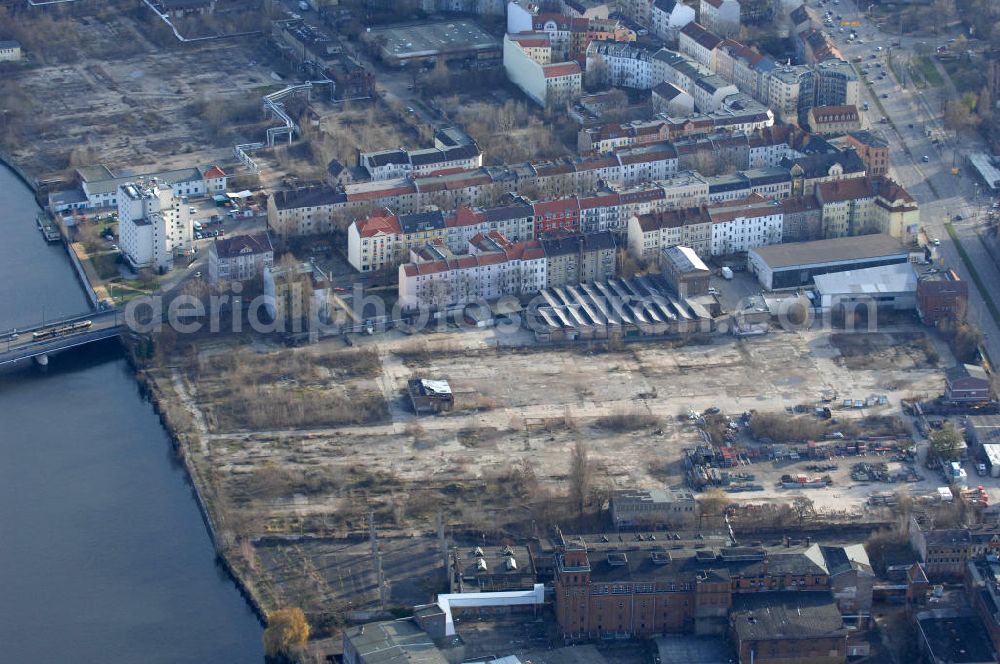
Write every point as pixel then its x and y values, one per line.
pixel 738 226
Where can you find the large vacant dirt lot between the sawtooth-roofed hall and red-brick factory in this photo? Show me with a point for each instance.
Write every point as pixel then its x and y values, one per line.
pixel 274 436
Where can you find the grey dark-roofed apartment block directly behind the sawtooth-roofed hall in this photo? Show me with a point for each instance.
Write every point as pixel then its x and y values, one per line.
pixel 573 259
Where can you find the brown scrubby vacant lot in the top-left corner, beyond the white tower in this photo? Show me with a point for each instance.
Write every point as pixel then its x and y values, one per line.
pixel 159 106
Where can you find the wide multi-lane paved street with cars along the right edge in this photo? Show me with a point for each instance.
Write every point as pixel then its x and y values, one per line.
pixel 912 112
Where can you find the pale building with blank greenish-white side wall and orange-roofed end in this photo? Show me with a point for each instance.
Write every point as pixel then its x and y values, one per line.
pixel 549 85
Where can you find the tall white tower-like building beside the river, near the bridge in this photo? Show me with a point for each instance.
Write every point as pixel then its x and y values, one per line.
pixel 151 226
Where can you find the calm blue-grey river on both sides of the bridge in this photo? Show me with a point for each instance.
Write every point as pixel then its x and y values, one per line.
pixel 103 553
